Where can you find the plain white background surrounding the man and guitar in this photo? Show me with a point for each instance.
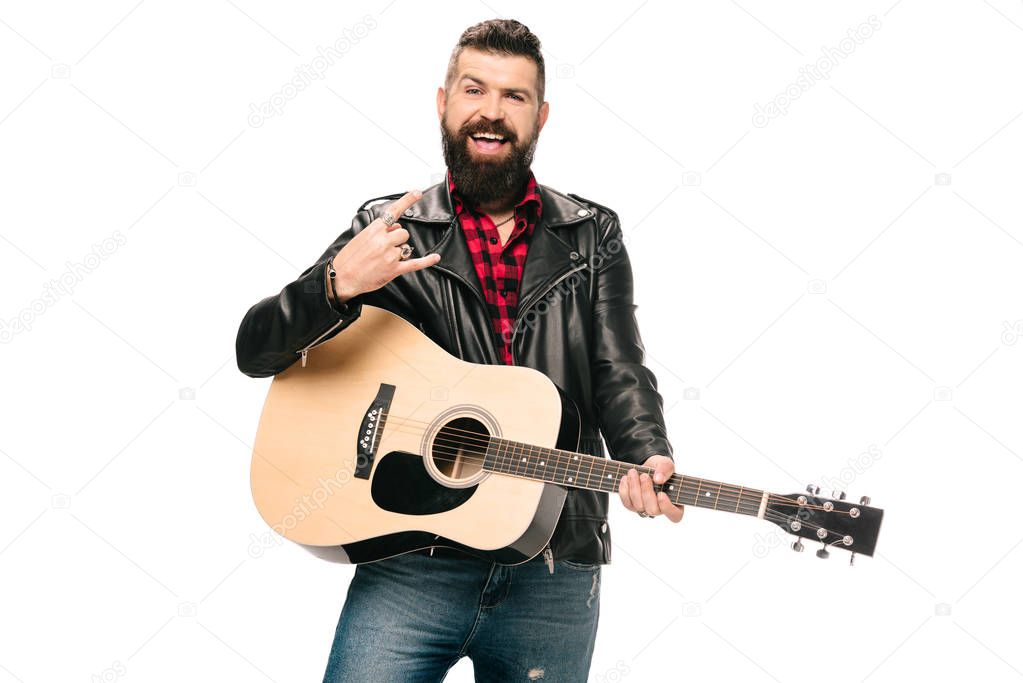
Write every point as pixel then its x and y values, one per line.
pixel 842 281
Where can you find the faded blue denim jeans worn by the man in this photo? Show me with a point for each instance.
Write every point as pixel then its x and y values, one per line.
pixel 413 617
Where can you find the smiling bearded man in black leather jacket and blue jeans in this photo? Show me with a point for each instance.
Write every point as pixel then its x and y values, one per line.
pixel 507 271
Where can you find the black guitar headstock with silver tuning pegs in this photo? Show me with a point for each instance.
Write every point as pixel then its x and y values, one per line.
pixel 834 523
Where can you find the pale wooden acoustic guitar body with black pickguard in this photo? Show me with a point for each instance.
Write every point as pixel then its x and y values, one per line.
pixel 376 448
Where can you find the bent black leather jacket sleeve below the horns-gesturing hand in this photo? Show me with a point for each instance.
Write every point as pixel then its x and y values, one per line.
pixel 275 331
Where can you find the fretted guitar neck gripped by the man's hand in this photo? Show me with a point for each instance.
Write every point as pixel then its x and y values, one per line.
pixel 587 472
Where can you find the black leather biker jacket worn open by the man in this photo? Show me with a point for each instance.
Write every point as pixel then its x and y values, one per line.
pixel 576 325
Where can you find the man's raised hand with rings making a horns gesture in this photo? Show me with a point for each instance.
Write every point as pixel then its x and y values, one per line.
pixel 372 258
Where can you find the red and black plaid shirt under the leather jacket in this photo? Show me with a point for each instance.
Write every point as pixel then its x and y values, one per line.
pixel 500 266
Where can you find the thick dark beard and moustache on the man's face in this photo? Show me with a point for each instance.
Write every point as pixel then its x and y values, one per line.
pixel 486 180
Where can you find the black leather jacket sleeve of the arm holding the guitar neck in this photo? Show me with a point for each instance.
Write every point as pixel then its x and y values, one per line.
pixel 629 405
